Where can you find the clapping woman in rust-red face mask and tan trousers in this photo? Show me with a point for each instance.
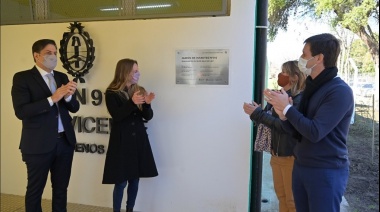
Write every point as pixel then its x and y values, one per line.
pixel 292 80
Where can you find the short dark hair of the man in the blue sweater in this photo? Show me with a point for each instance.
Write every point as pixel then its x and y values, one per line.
pixel 325 44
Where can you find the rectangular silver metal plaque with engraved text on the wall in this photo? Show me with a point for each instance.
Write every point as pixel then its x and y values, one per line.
pixel 202 67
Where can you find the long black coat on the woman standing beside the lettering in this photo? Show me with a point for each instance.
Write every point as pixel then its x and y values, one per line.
pixel 129 155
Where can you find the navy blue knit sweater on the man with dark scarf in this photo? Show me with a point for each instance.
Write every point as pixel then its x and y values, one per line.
pixel 325 128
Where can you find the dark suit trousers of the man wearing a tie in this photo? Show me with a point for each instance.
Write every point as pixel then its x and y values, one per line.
pixel 58 162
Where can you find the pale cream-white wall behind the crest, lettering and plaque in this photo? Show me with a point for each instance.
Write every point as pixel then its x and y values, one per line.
pixel 200 135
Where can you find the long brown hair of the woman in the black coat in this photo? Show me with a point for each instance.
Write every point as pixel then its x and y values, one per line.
pixel 123 69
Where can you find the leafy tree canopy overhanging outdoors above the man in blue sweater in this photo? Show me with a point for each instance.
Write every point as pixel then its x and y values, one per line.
pixel 353 15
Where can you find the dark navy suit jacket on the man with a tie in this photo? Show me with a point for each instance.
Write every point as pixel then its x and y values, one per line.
pixel 39 119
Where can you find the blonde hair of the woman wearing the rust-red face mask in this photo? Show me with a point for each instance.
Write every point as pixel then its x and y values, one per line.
pixel 296 77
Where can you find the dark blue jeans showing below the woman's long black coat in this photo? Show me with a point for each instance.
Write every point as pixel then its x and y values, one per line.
pixel 133 186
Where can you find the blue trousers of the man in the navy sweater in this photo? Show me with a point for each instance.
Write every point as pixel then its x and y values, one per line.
pixel 318 189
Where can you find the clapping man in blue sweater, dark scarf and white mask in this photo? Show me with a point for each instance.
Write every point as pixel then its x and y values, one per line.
pixel 321 167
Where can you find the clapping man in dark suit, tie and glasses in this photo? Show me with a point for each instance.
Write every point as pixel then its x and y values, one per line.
pixel 42 99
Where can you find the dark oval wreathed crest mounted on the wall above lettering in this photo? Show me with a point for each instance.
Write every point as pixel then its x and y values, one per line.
pixel 77 51
